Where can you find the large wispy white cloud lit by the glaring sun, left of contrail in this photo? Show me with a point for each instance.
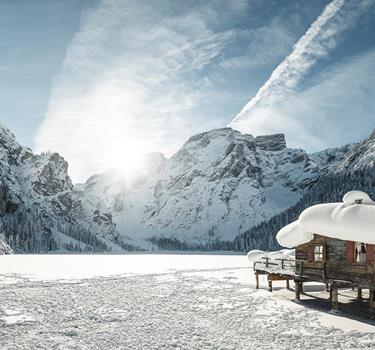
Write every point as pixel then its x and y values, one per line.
pixel 123 87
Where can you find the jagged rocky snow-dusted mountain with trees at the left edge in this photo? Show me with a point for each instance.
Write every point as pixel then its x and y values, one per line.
pixel 38 206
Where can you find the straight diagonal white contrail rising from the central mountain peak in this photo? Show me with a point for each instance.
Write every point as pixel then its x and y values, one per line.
pixel 316 43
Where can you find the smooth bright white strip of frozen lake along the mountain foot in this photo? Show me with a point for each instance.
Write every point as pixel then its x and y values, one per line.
pixel 52 267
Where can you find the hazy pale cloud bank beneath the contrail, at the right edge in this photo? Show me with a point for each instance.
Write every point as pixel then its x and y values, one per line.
pixel 337 107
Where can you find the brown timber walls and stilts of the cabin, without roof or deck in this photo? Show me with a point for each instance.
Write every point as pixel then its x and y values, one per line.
pixel 338 264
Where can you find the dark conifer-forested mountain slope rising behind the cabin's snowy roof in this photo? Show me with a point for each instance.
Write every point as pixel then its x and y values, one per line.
pixel 349 168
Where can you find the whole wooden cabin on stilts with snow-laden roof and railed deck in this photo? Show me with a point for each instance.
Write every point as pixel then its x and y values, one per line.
pixel 329 258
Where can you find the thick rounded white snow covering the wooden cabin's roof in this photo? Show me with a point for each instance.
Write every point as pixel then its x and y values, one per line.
pixel 351 220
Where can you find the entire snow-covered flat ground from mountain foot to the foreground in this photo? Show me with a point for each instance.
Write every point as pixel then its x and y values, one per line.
pixel 158 302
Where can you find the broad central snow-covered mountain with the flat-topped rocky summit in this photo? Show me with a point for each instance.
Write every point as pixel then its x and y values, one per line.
pixel 215 187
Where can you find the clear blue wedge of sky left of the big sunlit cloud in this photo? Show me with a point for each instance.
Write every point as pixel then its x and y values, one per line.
pixel 34 38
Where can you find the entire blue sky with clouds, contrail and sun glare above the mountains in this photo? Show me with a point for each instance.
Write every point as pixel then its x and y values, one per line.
pixel 103 82
